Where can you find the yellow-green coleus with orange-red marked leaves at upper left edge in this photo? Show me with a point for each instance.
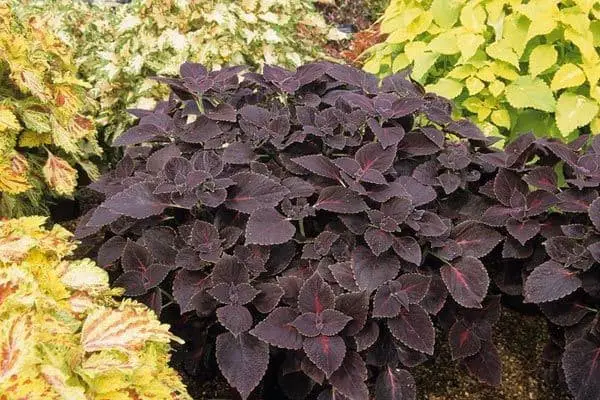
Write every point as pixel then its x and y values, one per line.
pixel 44 130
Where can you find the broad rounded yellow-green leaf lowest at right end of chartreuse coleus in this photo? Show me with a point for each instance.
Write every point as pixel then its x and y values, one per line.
pixel 574 111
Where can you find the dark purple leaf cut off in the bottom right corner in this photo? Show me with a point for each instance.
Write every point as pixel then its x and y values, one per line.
pixel 581 364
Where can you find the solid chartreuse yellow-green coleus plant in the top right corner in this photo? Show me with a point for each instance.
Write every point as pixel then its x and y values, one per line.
pixel 511 66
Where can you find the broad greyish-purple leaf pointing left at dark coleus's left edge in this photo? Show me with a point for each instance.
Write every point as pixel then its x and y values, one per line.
pixel 137 201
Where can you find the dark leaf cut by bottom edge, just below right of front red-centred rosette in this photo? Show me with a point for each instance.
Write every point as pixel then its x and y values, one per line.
pixel 350 378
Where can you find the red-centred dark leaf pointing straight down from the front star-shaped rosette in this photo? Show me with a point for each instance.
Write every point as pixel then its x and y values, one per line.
pixel 326 352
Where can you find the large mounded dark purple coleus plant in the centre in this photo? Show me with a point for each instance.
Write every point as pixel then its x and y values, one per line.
pixel 307 213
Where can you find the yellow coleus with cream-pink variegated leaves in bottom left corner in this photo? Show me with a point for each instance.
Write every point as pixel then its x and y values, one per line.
pixel 62 334
